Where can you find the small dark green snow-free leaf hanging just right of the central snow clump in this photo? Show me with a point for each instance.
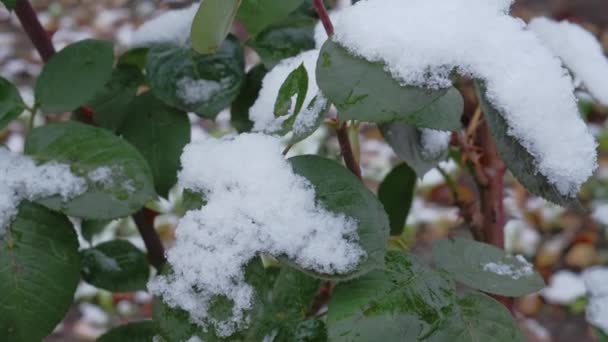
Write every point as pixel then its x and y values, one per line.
pixel 396 193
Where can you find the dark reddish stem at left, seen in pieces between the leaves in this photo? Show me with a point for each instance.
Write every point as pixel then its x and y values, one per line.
pixel 43 43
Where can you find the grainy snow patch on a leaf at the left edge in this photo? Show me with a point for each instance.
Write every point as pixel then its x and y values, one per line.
pixel 21 179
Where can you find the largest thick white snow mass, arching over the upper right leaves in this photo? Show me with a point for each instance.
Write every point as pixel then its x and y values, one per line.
pixel 477 38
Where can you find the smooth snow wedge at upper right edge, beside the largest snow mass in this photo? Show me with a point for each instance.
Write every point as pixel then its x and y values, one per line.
pixel 580 52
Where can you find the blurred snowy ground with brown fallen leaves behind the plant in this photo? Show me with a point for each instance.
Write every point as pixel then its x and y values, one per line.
pixel 561 243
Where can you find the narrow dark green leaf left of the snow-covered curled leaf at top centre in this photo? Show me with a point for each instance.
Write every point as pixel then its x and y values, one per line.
pixel 247 97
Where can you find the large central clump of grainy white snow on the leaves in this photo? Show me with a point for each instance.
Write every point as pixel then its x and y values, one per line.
pixel 262 208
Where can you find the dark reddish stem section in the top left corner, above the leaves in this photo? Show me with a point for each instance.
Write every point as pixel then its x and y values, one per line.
pixel 37 34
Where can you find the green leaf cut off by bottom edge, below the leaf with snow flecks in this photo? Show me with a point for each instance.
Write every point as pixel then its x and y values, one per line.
pixel 478 318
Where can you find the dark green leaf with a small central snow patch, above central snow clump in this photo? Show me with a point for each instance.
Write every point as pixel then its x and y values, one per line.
pixel 203 84
